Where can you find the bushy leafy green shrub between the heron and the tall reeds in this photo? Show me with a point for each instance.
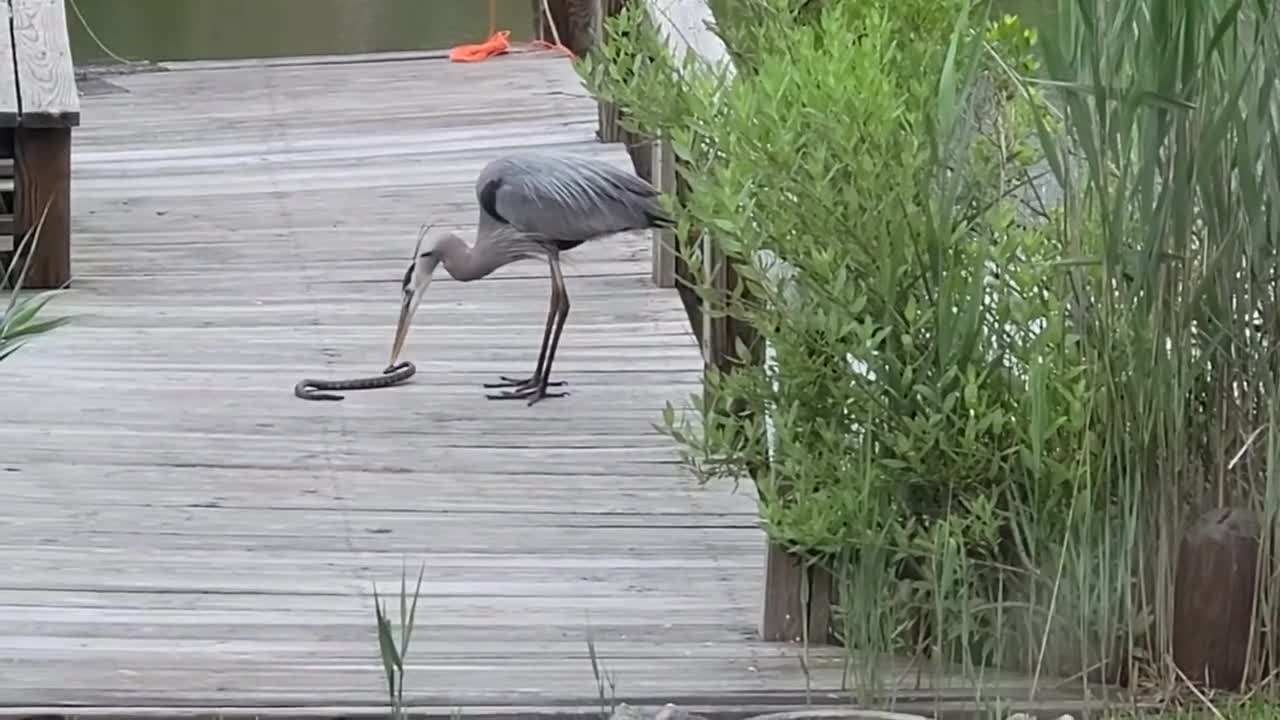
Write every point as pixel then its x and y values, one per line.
pixel 870 151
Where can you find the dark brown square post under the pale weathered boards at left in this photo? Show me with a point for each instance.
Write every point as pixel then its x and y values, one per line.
pixel 43 161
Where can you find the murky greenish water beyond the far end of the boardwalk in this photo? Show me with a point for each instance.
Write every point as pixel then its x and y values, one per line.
pixel 198 30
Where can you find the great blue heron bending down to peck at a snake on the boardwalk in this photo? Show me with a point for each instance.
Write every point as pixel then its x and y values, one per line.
pixel 533 206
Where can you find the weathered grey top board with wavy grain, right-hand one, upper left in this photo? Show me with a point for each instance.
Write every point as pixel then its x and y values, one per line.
pixel 47 75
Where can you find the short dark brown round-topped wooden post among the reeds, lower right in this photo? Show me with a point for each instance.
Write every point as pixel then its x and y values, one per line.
pixel 1214 590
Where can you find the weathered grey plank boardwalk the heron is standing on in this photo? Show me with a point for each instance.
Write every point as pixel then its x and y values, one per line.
pixel 182 536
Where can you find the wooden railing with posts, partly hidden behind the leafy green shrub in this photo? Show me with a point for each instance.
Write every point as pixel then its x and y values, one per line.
pixel 793 593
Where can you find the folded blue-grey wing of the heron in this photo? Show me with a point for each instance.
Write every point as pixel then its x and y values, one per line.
pixel 566 198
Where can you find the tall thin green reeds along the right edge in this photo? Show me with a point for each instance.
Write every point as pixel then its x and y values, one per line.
pixel 1171 163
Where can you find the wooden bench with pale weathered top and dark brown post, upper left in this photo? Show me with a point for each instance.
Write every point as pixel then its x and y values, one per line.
pixel 39 108
